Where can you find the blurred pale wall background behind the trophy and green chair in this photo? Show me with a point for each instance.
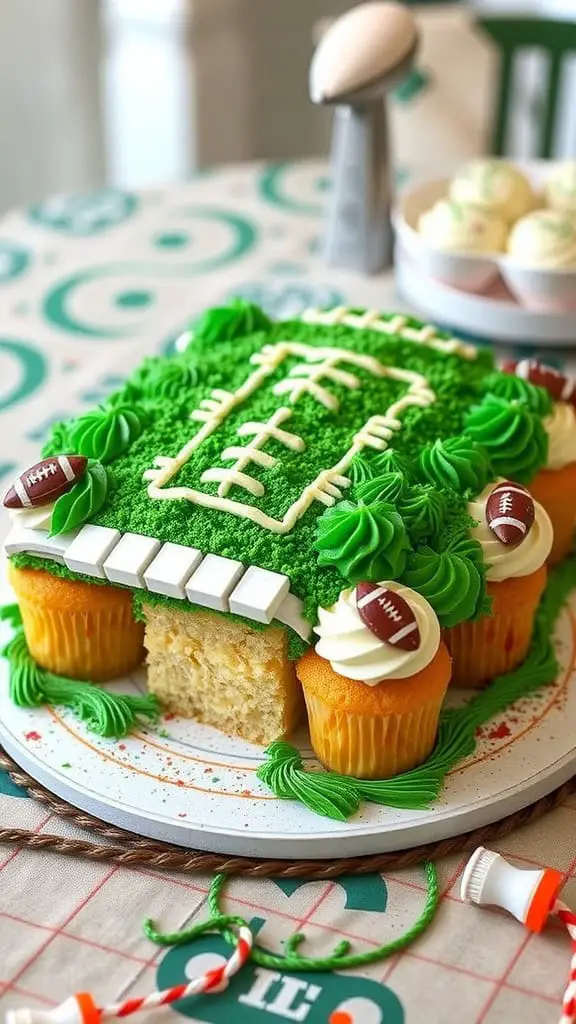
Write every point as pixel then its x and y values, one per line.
pixel 138 93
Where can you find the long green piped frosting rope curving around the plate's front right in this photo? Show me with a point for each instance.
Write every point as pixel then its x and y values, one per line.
pixel 339 797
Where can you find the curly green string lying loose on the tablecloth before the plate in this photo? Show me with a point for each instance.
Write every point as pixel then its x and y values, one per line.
pixel 340 960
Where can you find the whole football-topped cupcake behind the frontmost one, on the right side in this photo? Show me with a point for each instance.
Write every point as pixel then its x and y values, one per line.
pixel 516 536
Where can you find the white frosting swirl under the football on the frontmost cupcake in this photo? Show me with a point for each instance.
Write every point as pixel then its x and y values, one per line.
pixel 355 653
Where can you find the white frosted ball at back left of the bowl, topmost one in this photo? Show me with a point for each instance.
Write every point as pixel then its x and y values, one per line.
pixel 496 186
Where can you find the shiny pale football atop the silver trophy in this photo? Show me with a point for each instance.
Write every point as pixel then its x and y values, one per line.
pixel 360 51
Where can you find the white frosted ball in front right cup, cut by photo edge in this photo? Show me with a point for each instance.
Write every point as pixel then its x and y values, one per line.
pixel 545 238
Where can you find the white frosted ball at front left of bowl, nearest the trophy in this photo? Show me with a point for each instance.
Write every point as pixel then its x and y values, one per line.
pixel 462 228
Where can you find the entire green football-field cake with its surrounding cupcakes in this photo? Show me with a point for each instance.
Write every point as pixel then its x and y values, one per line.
pixel 335 518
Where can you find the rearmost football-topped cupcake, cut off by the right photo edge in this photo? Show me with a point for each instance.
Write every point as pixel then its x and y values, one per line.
pixel 555 486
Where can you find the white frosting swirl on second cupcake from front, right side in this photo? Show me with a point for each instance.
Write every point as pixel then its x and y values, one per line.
pixel 506 561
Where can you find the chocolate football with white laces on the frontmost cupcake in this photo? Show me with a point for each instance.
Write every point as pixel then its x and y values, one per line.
pixel 388 616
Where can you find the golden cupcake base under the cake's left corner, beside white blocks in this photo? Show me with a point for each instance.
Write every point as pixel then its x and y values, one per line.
pixel 75 629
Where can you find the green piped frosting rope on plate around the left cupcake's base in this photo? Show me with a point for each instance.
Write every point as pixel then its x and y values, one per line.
pixel 109 715
